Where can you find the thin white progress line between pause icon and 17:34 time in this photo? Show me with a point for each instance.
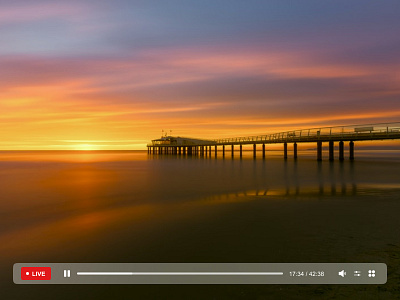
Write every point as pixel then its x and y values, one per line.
pixel 177 273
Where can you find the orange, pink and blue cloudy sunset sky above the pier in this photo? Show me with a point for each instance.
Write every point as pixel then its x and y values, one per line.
pixel 114 74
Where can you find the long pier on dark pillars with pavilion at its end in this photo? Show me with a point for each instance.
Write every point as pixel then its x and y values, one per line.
pixel 338 135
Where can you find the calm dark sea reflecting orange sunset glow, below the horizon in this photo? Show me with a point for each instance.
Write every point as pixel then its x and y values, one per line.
pixel 128 206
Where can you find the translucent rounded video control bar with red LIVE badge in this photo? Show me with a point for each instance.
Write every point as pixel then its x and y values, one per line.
pixel 200 273
